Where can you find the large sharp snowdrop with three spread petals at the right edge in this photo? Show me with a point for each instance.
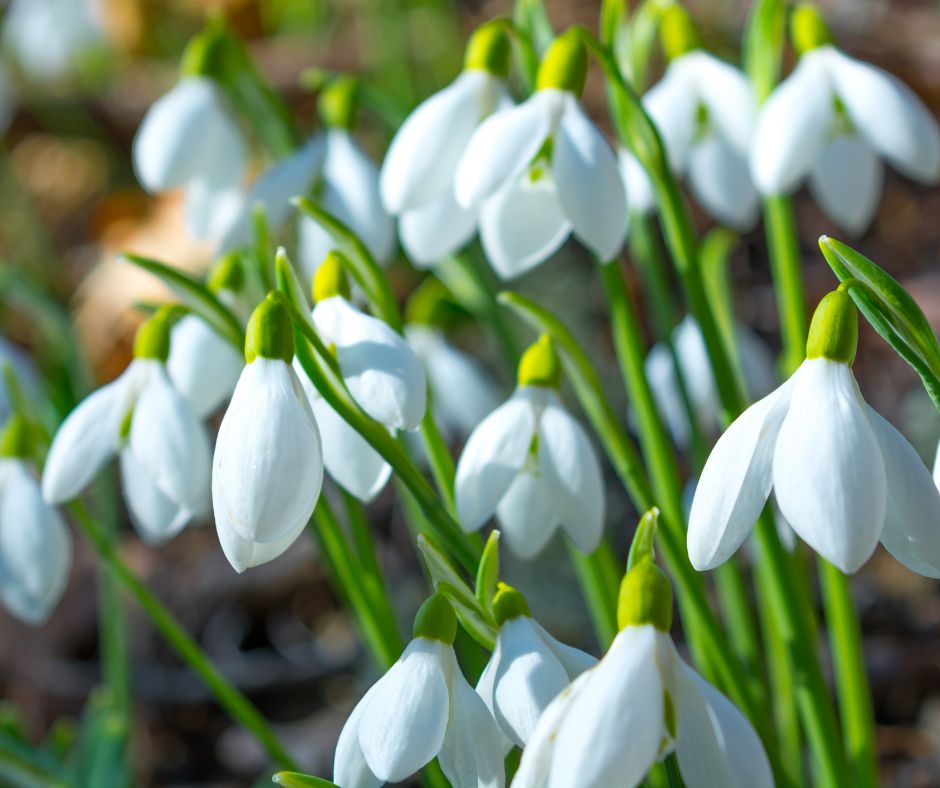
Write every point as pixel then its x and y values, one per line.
pixel 843 477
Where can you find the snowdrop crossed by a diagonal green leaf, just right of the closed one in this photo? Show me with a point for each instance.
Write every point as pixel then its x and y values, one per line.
pixel 380 370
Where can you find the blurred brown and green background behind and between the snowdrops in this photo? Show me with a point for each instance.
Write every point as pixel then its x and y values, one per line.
pixel 76 77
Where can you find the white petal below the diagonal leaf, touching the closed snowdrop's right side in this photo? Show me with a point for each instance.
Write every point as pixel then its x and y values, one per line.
pixel 349 459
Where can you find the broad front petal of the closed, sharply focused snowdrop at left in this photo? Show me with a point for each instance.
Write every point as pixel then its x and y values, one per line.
pixel 268 466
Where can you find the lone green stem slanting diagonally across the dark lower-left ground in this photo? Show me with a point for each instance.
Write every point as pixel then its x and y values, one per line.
pixel 229 697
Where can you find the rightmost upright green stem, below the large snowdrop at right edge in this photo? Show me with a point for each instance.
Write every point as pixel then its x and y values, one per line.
pixel 848 657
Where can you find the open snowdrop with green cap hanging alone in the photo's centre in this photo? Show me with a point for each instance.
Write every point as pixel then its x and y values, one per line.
pixel 532 463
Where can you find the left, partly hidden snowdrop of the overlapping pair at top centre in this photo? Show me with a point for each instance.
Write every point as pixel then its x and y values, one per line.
pixel 417 178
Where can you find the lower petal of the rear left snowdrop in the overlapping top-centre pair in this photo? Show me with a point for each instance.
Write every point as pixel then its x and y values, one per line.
pixel 436 230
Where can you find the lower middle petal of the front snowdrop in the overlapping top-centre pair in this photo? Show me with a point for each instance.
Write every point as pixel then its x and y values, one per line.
pixel 523 225
